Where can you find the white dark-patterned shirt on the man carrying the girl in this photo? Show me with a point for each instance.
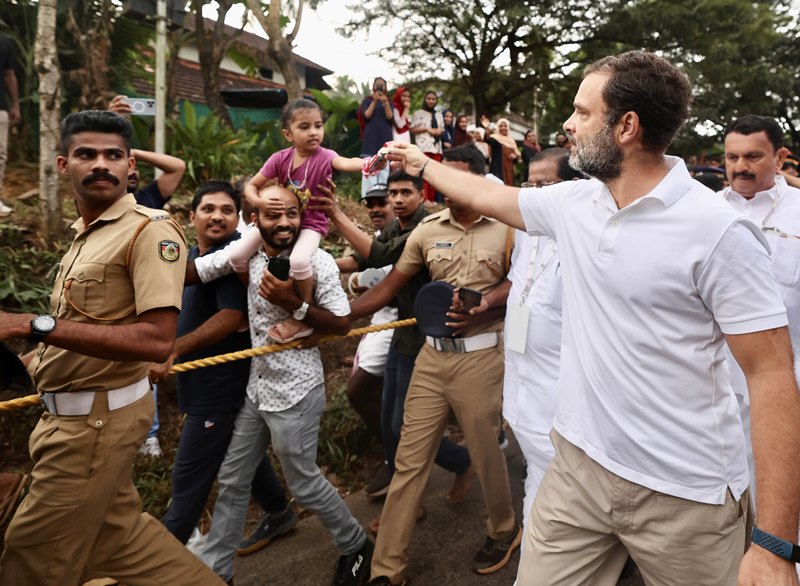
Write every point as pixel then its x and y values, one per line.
pixel 280 380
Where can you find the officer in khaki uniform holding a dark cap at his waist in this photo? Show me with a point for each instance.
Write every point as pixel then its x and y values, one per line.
pixel 464 249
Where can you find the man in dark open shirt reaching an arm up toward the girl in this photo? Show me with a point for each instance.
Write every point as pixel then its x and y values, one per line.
pixel 406 196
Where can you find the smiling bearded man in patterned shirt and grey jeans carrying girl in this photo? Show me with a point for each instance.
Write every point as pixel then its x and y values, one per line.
pixel 285 400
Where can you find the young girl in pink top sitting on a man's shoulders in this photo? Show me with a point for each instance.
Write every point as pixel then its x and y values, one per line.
pixel 300 168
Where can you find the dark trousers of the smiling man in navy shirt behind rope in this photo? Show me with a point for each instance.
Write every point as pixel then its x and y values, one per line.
pixel 201 449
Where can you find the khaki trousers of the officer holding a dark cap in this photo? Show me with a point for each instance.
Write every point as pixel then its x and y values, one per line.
pixel 472 385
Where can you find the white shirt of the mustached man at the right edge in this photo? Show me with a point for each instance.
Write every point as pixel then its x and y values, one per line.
pixel 777 212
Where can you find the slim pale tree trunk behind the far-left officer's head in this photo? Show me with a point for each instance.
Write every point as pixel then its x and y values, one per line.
pixel 50 117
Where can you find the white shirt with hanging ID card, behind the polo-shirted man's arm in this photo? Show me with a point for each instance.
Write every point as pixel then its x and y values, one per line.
pixel 531 379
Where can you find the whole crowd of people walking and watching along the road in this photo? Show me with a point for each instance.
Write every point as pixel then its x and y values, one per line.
pixel 633 327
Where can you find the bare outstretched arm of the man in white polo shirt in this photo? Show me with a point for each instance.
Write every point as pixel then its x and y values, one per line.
pixel 483 196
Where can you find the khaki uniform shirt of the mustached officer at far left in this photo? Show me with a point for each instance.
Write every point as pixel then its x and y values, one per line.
pixel 95 285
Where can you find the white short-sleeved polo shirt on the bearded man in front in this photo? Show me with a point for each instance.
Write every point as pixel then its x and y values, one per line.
pixel 648 292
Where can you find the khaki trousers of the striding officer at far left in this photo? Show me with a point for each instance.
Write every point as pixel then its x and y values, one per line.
pixel 83 516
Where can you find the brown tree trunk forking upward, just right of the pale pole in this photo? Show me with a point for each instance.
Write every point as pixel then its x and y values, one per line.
pixel 212 44
